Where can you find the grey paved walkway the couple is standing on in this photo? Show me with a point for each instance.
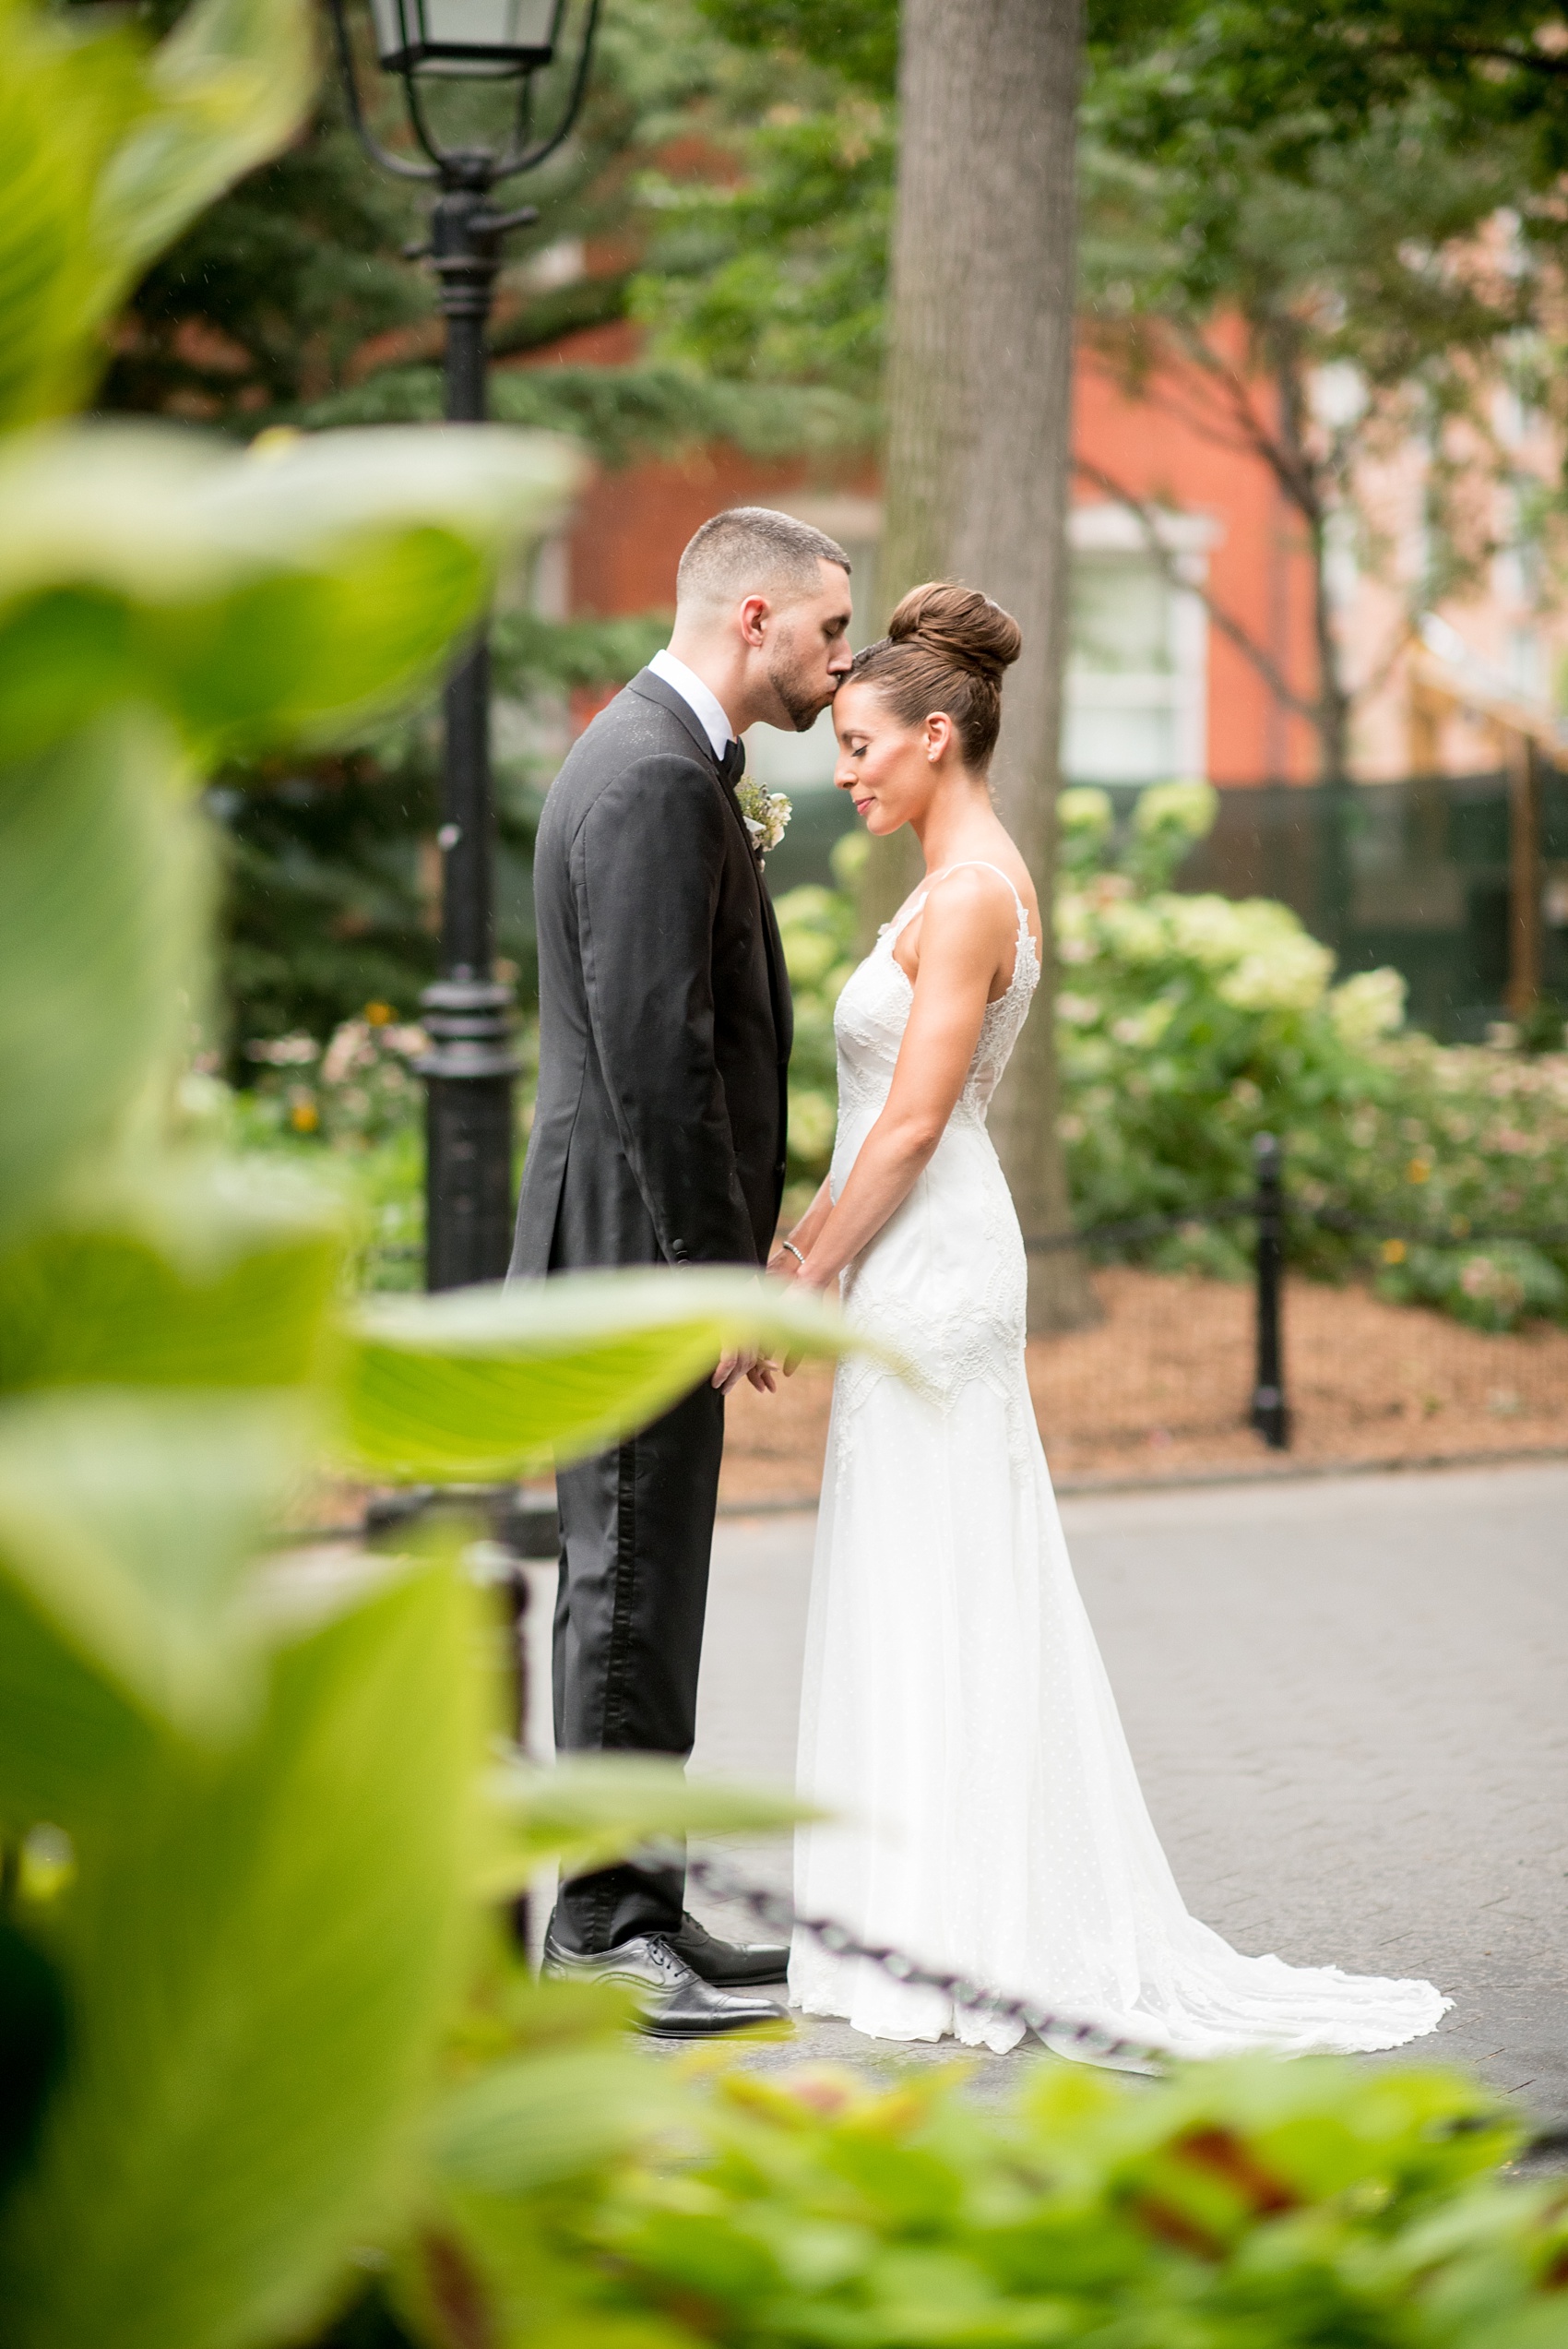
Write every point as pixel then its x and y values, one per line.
pixel 1349 1702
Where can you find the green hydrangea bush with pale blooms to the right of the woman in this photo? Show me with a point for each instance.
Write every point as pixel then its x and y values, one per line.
pixel 1189 1025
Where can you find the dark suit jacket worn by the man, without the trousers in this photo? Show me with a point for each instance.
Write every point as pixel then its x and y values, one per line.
pixel 665 1016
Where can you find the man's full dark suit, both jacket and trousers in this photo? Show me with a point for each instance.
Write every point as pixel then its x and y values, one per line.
pixel 658 1138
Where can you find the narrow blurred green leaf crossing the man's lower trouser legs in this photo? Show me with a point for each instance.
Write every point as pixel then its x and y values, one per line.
pixel 600 1808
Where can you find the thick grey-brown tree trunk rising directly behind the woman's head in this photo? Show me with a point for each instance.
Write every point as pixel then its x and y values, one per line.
pixel 978 464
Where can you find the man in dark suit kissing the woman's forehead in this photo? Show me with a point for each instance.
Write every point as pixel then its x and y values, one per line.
pixel 658 1138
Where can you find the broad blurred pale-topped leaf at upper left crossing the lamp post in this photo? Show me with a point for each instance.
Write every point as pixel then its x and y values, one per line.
pixel 259 598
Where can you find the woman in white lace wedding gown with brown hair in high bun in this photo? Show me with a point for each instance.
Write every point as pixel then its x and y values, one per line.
pixel 957 1714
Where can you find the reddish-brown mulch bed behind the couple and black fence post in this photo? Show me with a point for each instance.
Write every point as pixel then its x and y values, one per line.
pixel 1163 1385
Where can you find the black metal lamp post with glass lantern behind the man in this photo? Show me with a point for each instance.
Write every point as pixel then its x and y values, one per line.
pixel 468 1014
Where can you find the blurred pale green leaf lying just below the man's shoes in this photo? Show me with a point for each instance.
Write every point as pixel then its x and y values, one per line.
pixel 543 2118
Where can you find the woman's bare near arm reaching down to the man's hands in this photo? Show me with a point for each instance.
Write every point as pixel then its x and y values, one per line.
pixel 964 936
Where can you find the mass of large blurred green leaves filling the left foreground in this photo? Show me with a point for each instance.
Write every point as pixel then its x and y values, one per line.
pixel 250 1817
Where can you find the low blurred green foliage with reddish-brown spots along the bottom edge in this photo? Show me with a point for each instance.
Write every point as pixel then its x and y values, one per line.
pixel 1238 2207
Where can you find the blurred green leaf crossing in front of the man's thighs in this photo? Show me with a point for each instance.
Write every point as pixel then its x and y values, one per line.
pixel 492 1382
